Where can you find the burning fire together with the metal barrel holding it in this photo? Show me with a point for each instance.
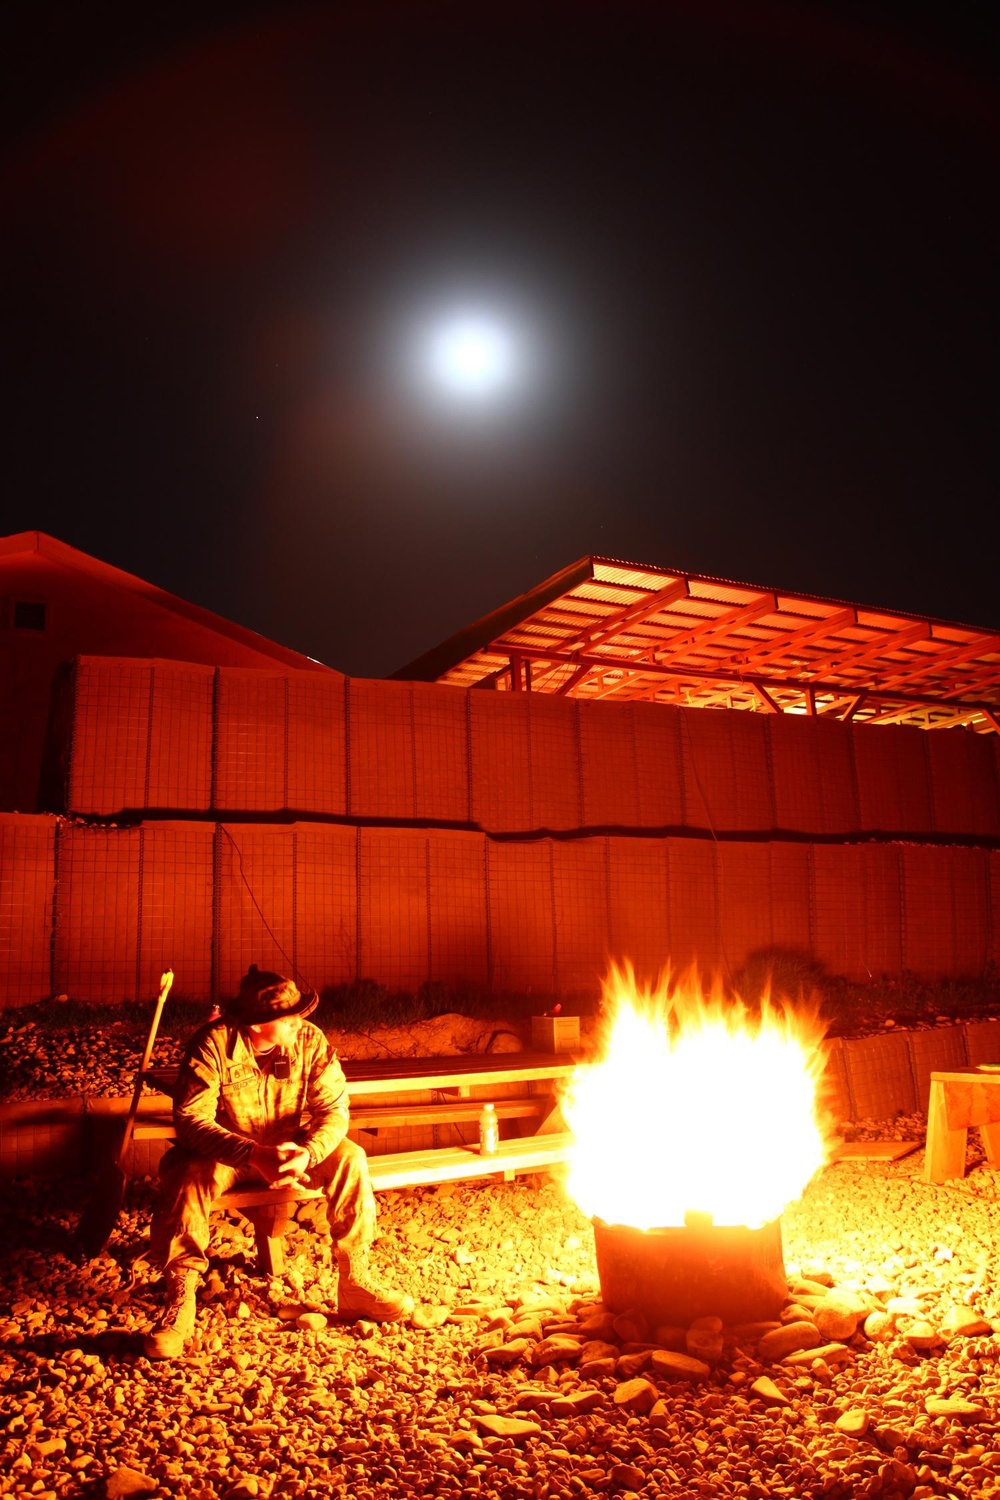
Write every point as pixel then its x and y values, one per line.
pixel 692 1133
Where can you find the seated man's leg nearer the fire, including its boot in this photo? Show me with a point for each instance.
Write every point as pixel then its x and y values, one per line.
pixel 352 1213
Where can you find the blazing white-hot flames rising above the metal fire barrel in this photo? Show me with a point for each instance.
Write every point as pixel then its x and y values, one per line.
pixel 698 1106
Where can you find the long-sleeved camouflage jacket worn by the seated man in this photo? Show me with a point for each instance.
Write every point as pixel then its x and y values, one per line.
pixel 224 1105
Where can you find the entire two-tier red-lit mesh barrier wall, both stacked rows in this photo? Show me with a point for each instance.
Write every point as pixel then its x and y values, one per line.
pixel 412 835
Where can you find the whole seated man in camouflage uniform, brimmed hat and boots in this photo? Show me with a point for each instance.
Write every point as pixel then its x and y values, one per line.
pixel 262 1094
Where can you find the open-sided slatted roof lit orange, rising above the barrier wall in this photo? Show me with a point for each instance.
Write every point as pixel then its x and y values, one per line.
pixel 605 629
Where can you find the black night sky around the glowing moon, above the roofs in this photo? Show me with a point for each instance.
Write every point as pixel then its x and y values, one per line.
pixel 755 247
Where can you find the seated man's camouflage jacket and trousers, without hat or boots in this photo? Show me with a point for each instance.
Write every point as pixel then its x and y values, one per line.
pixel 227 1102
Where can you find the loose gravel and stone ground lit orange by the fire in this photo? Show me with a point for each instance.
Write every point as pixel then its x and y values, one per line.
pixel 513 1381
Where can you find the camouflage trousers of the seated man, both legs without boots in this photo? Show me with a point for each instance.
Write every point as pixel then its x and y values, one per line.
pixel 190 1186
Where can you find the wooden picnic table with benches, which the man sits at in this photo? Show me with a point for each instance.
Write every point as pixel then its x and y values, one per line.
pixel 382 1099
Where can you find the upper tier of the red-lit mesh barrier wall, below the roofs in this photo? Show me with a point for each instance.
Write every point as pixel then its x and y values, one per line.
pixel 190 740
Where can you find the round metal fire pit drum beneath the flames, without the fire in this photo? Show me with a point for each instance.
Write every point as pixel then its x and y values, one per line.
pixel 689 1271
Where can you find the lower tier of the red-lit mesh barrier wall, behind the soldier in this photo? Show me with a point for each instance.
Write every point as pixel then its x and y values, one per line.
pixel 95 913
